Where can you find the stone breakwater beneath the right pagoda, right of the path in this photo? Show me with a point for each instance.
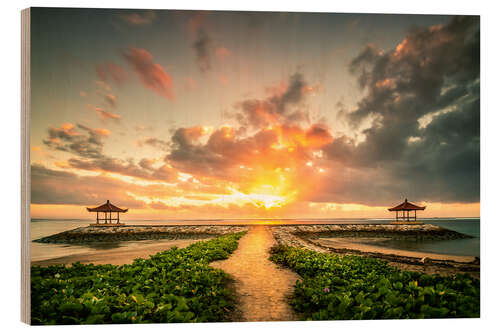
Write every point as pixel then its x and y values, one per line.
pixel 418 232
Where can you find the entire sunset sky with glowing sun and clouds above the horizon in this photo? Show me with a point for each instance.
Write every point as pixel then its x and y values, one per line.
pixel 212 114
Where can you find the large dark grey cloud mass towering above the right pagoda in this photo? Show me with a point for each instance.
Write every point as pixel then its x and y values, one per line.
pixel 424 97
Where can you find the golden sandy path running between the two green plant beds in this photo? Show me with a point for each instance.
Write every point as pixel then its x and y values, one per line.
pixel 261 286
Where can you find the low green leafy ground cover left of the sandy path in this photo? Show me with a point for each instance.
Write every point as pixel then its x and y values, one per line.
pixel 177 285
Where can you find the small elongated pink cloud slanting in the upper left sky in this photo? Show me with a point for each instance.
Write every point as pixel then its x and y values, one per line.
pixel 153 76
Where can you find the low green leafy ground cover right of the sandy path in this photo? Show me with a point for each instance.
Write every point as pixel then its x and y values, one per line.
pixel 355 287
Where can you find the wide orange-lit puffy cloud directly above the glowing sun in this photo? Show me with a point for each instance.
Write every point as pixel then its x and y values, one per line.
pixel 226 155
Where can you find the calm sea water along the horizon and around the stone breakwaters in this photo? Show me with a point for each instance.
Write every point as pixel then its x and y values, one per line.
pixel 468 247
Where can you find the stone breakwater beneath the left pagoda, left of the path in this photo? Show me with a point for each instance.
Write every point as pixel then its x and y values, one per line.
pixel 92 234
